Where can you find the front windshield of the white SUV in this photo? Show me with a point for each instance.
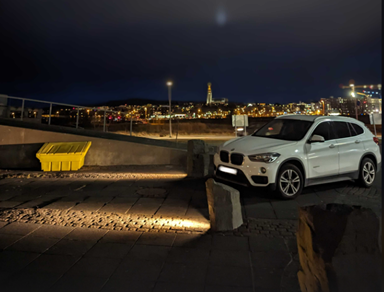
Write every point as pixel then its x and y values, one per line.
pixel 284 129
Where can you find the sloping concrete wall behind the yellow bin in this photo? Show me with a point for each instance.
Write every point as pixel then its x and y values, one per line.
pixel 18 146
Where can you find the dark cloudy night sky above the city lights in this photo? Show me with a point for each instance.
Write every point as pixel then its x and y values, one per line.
pixel 282 51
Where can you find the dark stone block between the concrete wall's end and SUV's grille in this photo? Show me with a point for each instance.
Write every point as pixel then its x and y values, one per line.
pixel 198 159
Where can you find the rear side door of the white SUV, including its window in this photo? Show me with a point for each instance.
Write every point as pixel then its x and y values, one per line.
pixel 350 146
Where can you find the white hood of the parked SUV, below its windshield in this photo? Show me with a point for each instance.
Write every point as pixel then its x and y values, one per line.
pixel 254 145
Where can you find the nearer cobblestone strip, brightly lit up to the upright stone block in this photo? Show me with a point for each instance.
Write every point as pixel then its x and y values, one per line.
pixel 142 223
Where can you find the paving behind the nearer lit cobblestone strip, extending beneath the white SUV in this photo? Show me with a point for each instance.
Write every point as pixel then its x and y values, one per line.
pixel 167 195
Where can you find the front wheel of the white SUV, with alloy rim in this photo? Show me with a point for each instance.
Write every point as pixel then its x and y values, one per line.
pixel 289 182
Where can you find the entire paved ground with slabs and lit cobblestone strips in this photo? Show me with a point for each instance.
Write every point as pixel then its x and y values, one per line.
pixel 148 230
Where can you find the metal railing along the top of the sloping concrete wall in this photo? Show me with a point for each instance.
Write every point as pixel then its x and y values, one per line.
pixel 77 107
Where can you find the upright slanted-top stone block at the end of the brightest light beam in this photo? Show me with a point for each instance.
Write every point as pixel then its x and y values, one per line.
pixel 224 206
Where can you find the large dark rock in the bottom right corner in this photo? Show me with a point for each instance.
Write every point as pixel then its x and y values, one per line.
pixel 338 249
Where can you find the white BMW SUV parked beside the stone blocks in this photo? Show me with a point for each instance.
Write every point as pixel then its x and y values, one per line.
pixel 294 151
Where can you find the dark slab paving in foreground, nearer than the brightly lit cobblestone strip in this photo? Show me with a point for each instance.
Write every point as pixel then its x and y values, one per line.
pixel 51 258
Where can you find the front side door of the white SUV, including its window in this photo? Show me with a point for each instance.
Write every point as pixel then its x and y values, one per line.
pixel 322 157
